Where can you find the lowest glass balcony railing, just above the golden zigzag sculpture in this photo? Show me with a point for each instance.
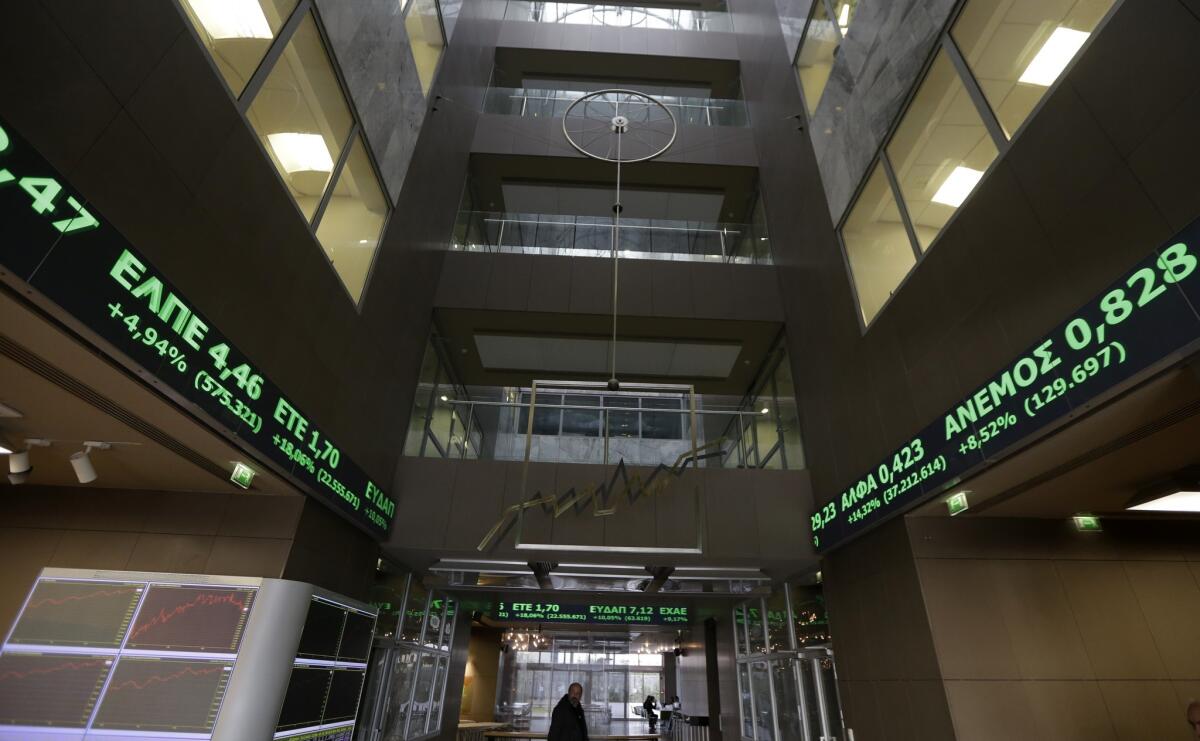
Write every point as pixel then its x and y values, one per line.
pixel 603 427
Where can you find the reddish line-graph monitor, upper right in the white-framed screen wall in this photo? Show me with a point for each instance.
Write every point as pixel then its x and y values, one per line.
pixel 199 619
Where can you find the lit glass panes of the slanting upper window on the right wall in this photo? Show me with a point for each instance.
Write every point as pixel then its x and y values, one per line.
pixel 985 81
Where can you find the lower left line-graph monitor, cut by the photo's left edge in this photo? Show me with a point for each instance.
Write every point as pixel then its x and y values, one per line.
pixel 51 690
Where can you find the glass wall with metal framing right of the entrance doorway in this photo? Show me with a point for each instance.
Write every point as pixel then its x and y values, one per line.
pixel 787 676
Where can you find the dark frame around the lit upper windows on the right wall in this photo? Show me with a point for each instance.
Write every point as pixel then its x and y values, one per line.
pixel 944 43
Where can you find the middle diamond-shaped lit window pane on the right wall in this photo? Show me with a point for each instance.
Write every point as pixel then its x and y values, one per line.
pixel 940 152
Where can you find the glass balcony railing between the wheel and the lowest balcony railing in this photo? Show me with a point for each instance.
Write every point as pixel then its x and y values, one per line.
pixel 645 239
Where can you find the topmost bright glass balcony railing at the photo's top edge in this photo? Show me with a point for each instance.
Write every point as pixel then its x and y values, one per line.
pixel 620 16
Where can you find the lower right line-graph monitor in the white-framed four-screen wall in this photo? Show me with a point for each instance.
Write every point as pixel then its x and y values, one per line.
pixel 164 695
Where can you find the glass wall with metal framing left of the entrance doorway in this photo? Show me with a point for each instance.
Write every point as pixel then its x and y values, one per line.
pixel 410 661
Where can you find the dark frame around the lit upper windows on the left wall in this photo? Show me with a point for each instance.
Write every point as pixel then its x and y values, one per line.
pixel 254 86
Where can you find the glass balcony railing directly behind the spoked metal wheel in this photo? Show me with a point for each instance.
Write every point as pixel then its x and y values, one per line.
pixel 533 104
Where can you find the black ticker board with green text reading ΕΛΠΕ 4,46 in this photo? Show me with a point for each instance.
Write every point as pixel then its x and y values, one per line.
pixel 55 242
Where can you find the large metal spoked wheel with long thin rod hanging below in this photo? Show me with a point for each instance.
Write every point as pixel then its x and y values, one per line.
pixel 622 128
